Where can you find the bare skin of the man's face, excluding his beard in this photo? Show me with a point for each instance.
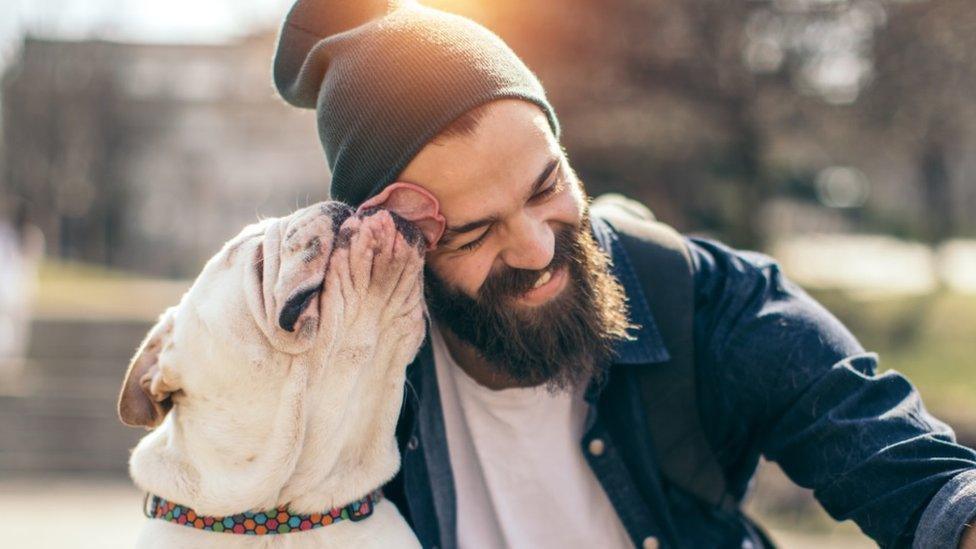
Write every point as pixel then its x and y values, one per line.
pixel 504 190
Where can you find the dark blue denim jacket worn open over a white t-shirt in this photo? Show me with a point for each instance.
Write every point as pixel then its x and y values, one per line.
pixel 777 376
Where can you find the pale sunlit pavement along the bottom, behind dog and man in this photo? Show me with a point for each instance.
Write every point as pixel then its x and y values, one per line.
pixel 105 513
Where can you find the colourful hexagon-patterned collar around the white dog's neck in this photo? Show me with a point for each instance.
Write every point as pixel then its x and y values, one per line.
pixel 277 521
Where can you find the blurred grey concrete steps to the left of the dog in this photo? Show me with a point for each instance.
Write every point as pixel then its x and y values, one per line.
pixel 62 414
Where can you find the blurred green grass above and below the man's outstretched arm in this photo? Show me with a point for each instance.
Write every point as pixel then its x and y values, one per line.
pixel 932 340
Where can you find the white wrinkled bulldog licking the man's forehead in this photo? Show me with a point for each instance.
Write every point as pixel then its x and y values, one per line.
pixel 275 385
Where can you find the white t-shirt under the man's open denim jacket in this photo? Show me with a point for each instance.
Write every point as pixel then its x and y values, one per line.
pixel 520 476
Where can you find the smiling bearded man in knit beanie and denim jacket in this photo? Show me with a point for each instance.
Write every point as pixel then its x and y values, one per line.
pixel 524 426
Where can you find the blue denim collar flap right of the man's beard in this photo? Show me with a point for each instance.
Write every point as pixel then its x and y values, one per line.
pixel 645 344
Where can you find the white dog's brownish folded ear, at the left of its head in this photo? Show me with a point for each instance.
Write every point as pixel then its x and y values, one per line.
pixel 145 396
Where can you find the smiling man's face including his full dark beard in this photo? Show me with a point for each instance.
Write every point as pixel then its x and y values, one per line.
pixel 516 274
